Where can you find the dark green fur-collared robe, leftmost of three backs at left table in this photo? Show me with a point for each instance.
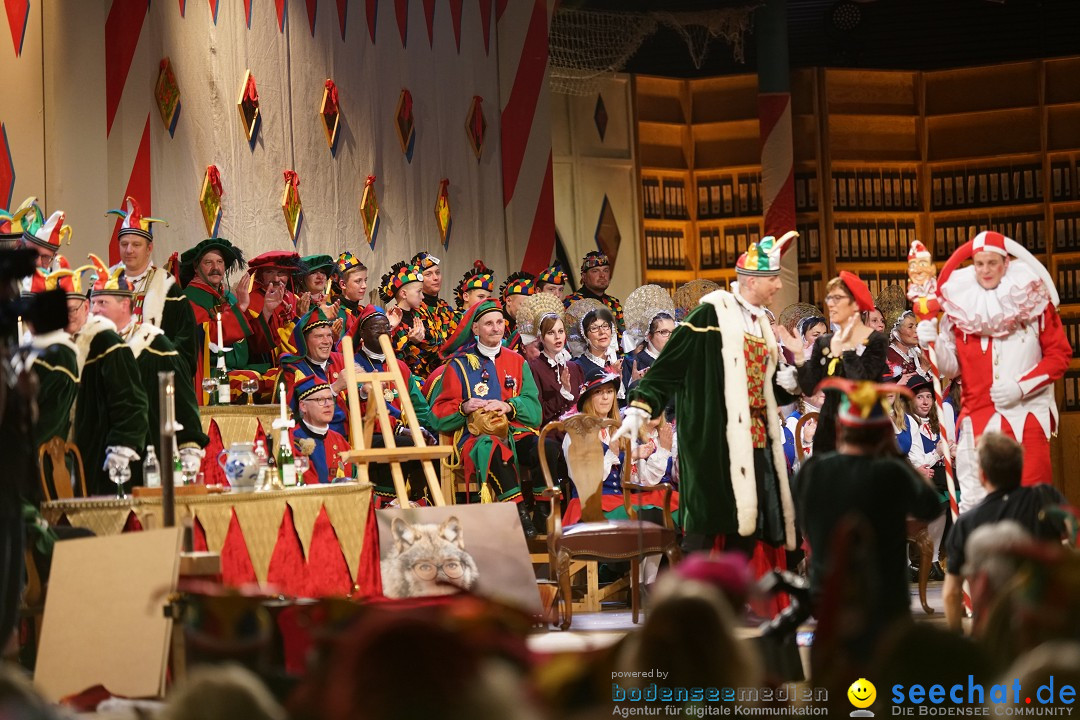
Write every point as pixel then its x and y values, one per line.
pixel 58 373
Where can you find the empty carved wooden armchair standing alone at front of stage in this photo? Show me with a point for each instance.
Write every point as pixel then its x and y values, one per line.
pixel 597 538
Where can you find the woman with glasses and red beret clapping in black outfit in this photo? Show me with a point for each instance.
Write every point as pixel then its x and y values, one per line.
pixel 855 351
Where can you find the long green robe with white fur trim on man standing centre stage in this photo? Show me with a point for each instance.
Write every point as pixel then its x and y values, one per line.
pixel 708 378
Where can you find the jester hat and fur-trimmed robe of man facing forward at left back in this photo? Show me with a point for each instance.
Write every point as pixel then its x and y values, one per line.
pixel 159 300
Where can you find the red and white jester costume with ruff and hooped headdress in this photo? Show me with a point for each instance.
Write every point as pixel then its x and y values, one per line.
pixel 1006 344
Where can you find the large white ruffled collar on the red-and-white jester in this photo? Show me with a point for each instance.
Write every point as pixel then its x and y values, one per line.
pixel 1019 300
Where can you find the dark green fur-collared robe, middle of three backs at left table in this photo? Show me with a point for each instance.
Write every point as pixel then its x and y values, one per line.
pixel 112 406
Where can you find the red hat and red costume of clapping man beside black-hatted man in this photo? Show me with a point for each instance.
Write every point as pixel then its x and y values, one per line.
pixel 271 333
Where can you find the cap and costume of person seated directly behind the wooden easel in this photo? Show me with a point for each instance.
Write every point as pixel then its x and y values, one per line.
pixel 371 361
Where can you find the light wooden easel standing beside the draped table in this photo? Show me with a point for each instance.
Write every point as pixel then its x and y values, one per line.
pixel 362 427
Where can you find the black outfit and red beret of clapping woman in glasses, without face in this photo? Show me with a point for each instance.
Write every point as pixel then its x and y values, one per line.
pixel 867 362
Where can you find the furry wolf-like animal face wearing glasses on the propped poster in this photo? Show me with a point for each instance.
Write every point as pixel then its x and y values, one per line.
pixel 428 560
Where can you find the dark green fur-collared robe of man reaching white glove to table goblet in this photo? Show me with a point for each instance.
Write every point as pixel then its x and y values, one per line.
pixel 155 354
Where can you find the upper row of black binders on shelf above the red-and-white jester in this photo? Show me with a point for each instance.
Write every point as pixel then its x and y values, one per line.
pixel 988 186
